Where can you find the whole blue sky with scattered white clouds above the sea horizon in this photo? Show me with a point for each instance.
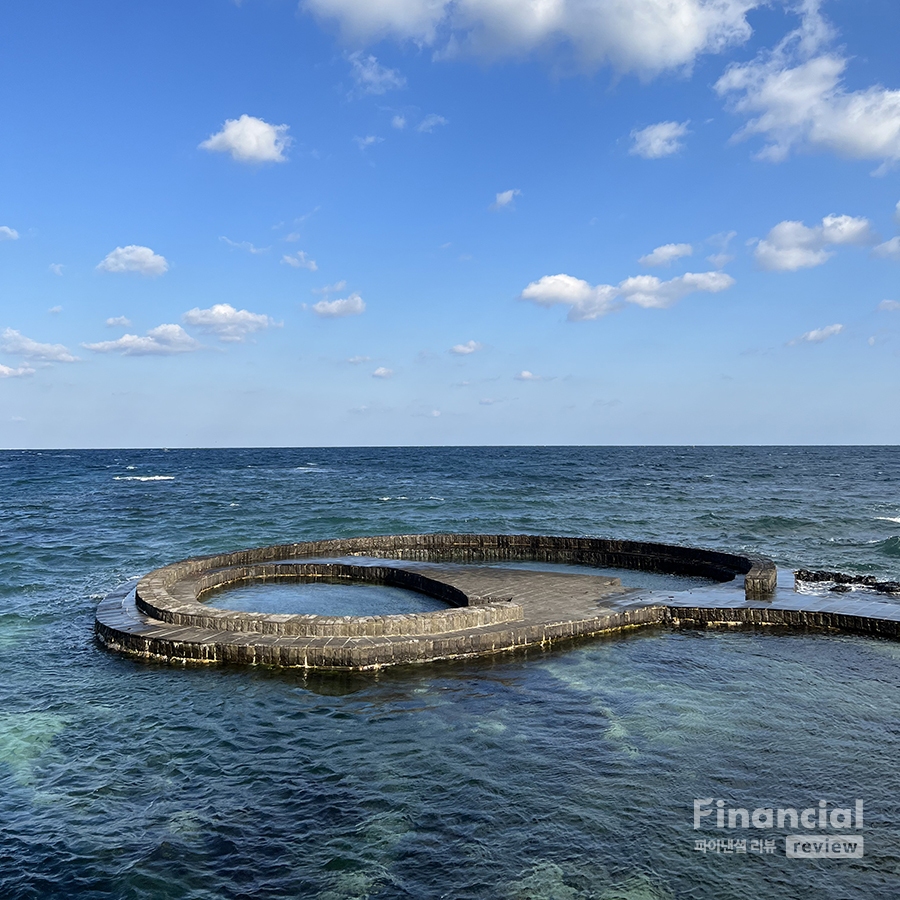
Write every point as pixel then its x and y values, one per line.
pixel 420 222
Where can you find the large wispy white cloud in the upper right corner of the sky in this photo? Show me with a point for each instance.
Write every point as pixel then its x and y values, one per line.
pixel 798 100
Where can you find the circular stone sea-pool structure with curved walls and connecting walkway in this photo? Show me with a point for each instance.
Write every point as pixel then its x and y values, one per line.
pixel 489 609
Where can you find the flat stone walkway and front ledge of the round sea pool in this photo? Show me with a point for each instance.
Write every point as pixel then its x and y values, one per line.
pixel 536 609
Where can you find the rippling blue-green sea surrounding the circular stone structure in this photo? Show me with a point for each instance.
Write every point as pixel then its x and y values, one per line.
pixel 542 776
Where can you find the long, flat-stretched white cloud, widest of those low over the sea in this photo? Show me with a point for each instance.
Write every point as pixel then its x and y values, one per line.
pixel 586 301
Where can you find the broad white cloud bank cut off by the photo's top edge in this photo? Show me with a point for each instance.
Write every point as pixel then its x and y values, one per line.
pixel 643 36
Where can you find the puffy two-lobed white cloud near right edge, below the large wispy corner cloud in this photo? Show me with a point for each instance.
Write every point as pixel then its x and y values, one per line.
pixel 792 245
